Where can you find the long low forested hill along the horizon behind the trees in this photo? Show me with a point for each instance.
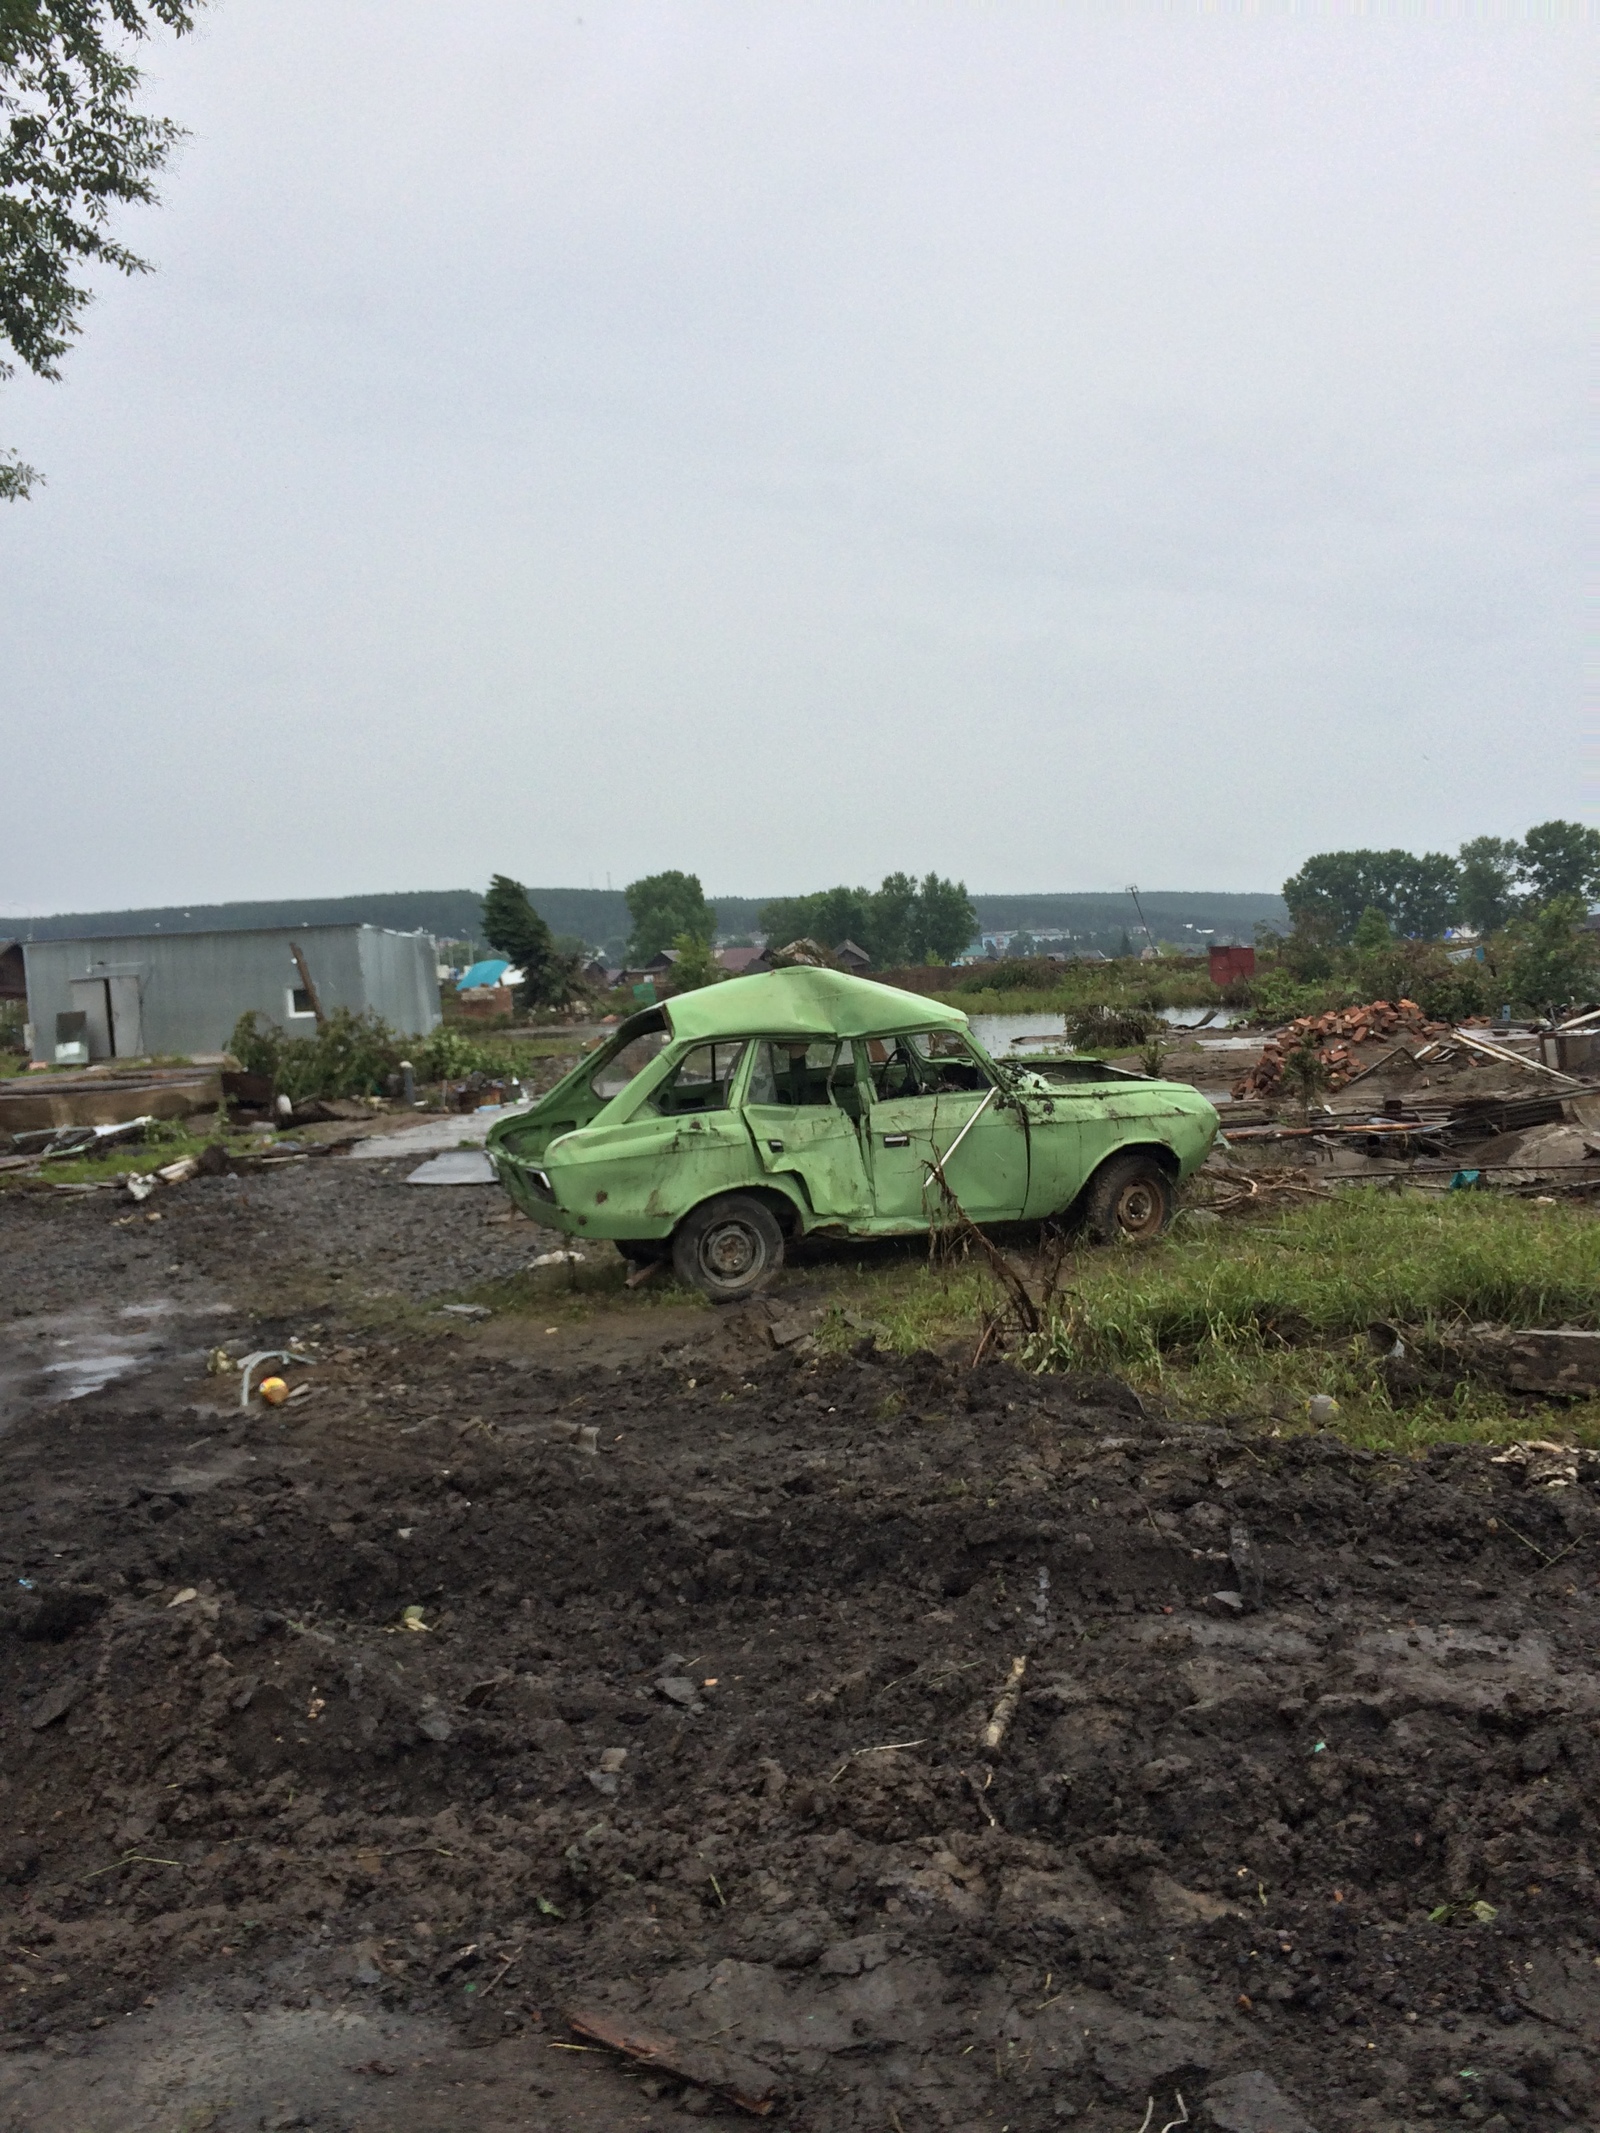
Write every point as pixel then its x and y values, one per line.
pixel 603 916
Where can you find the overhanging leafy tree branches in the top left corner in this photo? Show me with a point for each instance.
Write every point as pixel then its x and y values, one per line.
pixel 71 150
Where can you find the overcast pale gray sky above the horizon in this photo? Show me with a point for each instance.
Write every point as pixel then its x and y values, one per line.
pixel 1055 445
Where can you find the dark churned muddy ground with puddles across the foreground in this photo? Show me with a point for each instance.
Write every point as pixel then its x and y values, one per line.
pixel 643 1675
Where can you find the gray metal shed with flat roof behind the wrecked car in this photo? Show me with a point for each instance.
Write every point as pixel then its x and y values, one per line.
pixel 185 993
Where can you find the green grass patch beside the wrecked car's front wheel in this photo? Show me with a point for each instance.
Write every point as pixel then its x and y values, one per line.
pixel 1255 1317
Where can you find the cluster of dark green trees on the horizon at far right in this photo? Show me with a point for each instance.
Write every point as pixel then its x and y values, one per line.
pixel 1486 886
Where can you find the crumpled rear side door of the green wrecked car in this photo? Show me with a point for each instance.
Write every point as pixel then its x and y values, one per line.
pixel 801 1114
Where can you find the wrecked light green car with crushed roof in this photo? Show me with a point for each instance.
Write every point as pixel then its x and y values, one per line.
pixel 803 1102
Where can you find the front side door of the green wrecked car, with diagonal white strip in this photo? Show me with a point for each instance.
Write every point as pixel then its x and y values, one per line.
pixel 931 1100
